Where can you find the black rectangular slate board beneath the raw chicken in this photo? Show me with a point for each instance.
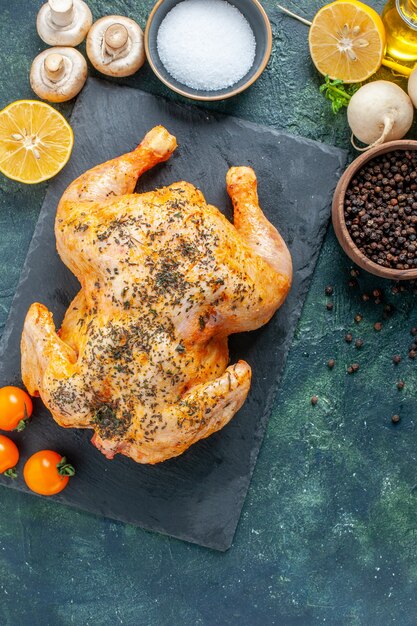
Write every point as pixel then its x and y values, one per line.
pixel 198 496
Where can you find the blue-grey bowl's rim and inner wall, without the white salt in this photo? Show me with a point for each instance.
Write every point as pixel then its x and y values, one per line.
pixel 254 13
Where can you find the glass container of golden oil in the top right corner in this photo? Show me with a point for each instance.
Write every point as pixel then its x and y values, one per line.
pixel 400 21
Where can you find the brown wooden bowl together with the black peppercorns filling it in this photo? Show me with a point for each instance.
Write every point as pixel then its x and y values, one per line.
pixel 375 210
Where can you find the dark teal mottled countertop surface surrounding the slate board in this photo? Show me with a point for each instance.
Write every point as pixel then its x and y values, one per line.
pixel 328 531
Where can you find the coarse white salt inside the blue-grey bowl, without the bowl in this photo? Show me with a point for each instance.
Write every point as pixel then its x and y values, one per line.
pixel 206 44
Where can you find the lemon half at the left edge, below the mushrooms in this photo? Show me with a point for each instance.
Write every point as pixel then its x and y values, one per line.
pixel 35 141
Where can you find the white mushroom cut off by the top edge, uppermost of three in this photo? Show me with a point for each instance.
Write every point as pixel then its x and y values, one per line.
pixel 64 22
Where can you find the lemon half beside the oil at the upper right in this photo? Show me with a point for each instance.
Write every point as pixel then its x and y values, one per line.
pixel 347 41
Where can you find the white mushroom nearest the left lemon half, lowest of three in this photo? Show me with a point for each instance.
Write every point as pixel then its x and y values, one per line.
pixel 58 74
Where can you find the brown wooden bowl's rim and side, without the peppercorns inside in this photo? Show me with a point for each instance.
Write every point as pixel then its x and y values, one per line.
pixel 338 216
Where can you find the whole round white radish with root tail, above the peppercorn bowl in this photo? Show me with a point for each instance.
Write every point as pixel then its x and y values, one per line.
pixel 378 112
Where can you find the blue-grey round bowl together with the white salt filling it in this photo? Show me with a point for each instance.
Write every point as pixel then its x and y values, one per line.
pixel 208 49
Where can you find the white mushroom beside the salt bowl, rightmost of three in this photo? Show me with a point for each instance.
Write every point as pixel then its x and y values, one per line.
pixel 115 46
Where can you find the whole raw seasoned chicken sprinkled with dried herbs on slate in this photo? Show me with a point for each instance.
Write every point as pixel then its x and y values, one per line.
pixel 142 356
